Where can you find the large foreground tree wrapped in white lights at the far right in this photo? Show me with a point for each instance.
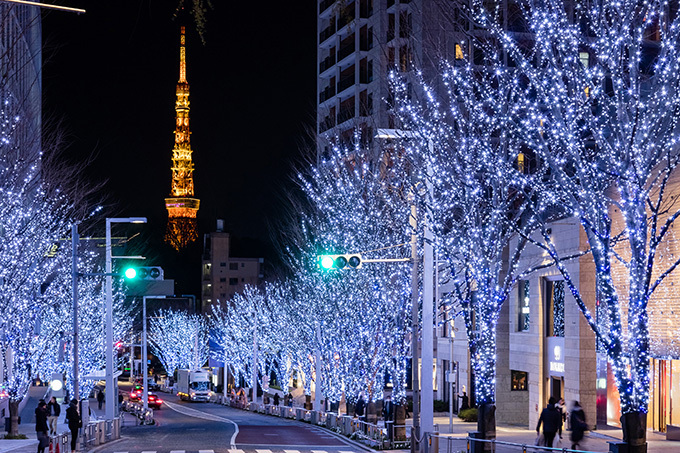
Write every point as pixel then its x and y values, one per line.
pixel 599 102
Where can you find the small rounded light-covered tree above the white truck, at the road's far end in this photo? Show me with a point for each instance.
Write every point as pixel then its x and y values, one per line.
pixel 178 339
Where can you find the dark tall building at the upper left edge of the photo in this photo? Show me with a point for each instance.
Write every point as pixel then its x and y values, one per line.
pixel 21 77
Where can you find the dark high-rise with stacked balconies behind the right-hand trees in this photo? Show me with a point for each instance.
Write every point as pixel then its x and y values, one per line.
pixel 359 43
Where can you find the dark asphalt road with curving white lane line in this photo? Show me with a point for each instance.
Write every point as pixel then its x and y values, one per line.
pixel 206 427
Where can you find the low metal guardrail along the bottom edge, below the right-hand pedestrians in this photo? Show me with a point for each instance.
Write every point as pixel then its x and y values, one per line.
pixel 435 443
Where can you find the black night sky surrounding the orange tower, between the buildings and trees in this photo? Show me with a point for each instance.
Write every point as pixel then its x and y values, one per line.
pixel 109 84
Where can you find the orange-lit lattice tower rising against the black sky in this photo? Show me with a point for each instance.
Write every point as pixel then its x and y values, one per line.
pixel 181 205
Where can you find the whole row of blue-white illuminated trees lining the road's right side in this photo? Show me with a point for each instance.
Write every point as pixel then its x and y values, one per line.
pixel 578 118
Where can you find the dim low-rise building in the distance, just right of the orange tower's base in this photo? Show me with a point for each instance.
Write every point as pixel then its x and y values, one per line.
pixel 224 275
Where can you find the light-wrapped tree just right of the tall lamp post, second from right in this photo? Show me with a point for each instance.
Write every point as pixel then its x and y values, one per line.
pixel 479 194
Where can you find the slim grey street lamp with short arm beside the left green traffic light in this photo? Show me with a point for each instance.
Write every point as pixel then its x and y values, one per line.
pixel 112 397
